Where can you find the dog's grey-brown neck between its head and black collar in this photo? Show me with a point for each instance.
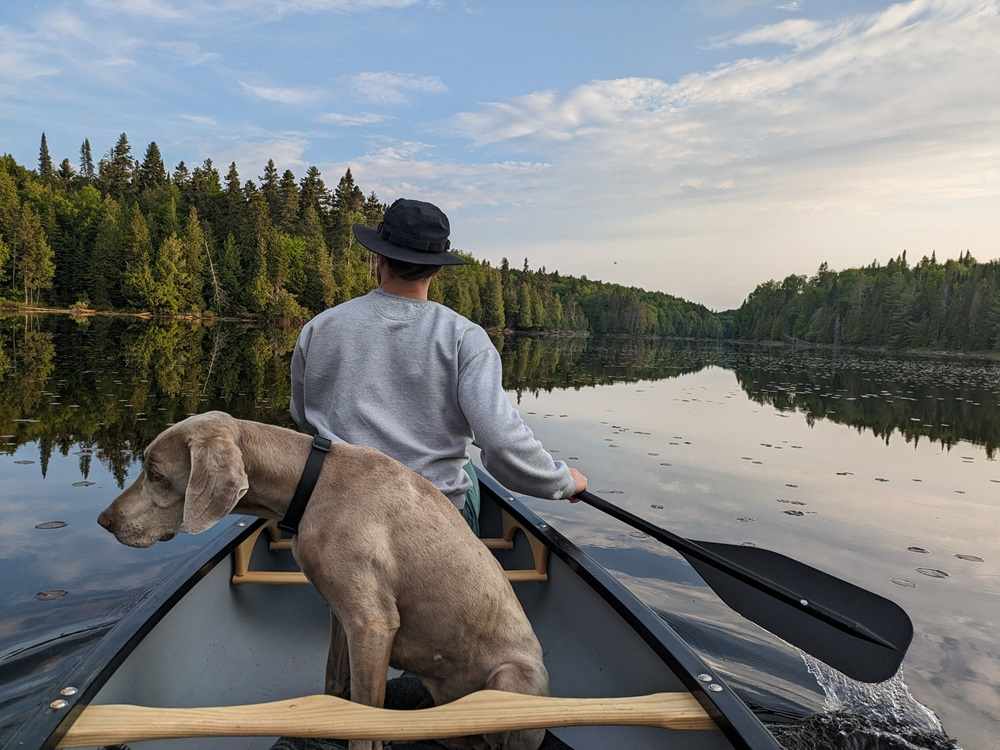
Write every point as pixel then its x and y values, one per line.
pixel 273 458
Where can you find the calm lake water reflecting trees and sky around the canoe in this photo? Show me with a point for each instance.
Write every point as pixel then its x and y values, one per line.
pixel 879 470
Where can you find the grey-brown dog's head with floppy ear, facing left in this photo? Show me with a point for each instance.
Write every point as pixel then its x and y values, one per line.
pixel 192 476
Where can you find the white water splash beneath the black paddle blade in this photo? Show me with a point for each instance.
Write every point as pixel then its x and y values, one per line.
pixel 859 716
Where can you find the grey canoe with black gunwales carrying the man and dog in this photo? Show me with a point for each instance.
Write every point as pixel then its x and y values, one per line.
pixel 234 627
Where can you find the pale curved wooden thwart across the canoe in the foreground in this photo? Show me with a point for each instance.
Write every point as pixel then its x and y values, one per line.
pixel 486 711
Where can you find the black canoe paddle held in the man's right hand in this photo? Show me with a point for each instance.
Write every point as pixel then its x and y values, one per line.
pixel 860 633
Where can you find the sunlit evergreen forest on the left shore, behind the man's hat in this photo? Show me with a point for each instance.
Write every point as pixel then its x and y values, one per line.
pixel 127 234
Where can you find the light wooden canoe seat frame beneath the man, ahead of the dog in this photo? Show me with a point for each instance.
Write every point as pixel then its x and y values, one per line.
pixel 242 554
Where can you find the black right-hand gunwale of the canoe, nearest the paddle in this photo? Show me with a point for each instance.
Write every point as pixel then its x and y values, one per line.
pixel 730 713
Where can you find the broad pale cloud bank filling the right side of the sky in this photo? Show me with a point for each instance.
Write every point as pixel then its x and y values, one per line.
pixel 860 137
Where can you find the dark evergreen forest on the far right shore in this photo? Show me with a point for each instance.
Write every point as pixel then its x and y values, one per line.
pixel 953 305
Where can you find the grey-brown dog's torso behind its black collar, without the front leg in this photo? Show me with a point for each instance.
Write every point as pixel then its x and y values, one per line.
pixel 461 628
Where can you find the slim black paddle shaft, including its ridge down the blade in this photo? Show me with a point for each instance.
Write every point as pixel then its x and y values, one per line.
pixel 750 577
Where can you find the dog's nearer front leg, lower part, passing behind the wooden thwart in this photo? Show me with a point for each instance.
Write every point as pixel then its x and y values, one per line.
pixel 370 646
